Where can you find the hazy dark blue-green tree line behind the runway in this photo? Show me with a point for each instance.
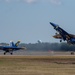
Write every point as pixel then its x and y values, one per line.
pixel 46 46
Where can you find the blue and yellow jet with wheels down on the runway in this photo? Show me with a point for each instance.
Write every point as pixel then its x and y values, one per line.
pixel 12 47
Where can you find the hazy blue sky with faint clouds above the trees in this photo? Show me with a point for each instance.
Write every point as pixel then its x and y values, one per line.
pixel 28 20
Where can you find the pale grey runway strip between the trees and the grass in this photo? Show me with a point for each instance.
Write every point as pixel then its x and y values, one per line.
pixel 37 53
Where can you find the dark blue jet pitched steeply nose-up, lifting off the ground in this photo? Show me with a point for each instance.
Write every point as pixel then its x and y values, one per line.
pixel 63 35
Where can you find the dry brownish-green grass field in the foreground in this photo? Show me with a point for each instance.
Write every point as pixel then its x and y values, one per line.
pixel 37 65
